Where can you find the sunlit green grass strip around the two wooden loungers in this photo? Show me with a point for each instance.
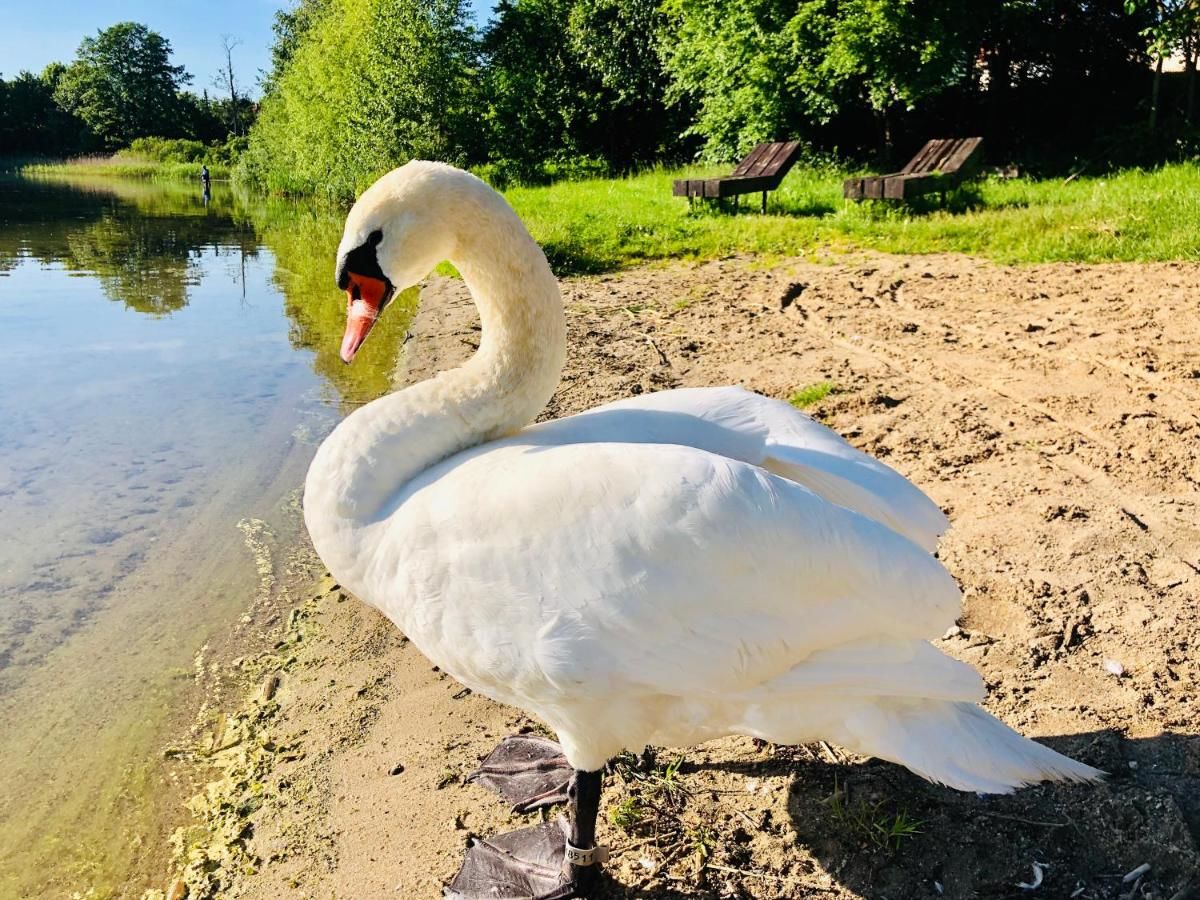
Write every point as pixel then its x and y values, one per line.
pixel 601 225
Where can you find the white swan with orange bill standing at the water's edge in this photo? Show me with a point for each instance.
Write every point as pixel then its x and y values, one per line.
pixel 661 571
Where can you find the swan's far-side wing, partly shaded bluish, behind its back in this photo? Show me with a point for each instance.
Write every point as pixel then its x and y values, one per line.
pixel 747 427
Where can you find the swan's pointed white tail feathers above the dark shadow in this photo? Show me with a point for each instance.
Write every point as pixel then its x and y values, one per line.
pixel 961 746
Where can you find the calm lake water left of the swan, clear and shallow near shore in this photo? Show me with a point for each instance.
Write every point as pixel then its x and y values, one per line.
pixel 169 364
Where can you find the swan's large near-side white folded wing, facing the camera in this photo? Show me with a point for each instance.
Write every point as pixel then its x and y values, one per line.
pixel 626 568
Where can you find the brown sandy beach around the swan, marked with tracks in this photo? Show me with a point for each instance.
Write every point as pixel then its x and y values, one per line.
pixel 1052 411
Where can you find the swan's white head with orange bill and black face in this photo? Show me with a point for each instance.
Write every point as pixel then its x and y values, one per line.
pixel 398 231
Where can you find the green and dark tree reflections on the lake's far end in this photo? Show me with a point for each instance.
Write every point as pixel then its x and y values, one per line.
pixel 145 243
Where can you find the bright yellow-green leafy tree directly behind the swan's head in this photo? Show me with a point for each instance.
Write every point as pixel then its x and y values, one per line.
pixel 369 86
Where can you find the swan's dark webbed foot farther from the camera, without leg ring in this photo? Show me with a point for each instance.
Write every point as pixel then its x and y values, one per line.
pixel 527 771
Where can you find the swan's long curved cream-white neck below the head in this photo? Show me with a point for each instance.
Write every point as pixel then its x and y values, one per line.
pixel 377 449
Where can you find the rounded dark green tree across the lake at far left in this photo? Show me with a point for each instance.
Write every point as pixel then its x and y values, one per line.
pixel 124 86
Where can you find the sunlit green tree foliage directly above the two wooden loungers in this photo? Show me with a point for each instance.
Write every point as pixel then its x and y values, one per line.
pixel 760 70
